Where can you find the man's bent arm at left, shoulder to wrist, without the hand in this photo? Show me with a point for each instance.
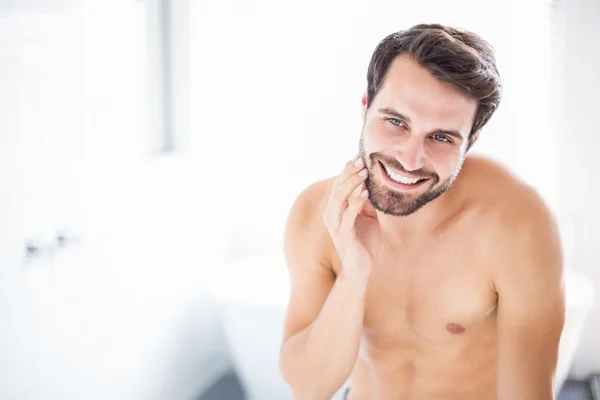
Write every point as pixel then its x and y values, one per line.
pixel 324 318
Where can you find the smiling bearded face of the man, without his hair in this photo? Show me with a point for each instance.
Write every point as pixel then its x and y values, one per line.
pixel 414 139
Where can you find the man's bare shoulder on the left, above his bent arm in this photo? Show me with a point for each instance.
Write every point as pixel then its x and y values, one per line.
pixel 305 231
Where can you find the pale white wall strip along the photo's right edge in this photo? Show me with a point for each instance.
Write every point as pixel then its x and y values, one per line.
pixel 579 142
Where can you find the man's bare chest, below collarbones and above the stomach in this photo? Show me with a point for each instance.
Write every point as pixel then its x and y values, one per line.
pixel 431 294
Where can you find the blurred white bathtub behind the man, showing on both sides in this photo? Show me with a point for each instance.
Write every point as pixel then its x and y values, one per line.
pixel 253 294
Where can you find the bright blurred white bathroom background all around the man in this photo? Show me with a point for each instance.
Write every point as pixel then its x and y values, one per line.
pixel 150 151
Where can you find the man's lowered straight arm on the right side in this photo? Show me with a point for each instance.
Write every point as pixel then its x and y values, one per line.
pixel 531 303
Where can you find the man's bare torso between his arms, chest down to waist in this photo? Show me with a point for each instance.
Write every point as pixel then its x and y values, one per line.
pixel 430 314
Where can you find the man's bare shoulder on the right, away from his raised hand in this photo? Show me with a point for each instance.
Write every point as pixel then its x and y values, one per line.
pixel 514 220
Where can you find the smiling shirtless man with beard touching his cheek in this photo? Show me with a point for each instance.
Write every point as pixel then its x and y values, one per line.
pixel 445 287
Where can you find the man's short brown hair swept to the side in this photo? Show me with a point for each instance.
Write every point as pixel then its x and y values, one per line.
pixel 452 55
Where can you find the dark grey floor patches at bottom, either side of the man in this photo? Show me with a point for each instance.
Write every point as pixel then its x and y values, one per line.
pixel 229 388
